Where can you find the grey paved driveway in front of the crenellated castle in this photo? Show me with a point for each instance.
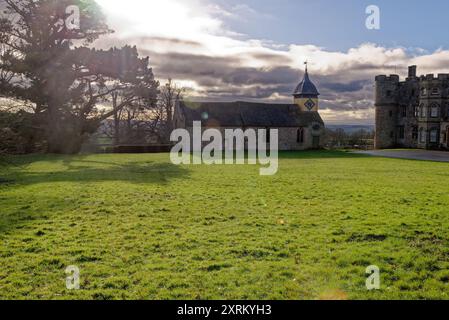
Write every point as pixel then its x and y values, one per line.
pixel 440 156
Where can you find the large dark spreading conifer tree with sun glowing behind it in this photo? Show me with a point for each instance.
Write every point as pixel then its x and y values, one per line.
pixel 46 59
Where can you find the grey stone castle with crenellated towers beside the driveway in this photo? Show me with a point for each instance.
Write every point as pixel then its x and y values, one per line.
pixel 413 113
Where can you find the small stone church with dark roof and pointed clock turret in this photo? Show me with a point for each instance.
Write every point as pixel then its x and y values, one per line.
pixel 299 124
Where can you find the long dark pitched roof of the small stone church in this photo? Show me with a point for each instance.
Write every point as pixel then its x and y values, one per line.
pixel 247 114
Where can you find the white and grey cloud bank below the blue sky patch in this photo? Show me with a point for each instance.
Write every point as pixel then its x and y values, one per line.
pixel 189 41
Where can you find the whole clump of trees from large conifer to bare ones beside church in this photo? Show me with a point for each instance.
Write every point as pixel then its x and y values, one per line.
pixel 56 90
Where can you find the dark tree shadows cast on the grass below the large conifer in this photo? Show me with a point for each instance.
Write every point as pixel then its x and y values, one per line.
pixel 49 169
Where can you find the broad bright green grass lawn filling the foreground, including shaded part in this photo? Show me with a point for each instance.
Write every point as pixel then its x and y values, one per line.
pixel 139 227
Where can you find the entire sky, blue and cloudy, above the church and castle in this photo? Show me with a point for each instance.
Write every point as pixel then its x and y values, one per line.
pixel 254 50
